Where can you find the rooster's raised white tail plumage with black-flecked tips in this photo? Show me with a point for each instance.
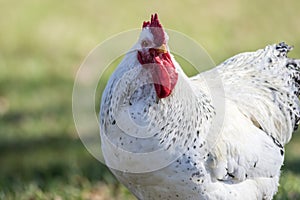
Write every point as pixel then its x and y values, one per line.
pixel 266 86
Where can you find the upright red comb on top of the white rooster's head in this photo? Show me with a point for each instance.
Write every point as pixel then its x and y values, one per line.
pixel 156 29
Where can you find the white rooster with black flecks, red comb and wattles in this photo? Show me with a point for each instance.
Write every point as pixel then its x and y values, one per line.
pixel 149 89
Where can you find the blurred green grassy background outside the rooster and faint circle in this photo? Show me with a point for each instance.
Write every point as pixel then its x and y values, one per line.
pixel 42 44
